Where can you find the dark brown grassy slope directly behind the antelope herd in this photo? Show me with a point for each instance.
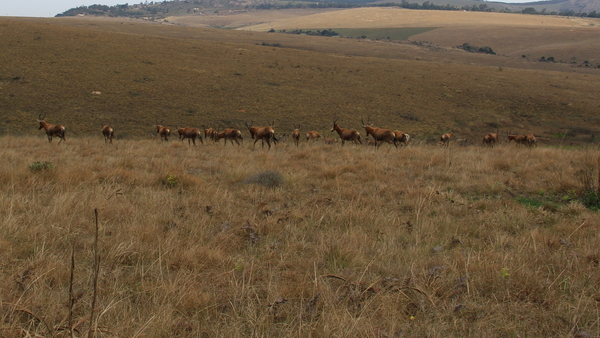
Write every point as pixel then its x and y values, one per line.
pixel 190 76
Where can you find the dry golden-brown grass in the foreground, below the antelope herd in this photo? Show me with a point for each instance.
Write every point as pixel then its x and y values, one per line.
pixel 420 241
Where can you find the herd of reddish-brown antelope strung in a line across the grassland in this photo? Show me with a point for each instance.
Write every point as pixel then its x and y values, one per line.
pixel 374 136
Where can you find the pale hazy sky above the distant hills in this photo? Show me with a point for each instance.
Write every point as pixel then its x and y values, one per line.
pixel 49 8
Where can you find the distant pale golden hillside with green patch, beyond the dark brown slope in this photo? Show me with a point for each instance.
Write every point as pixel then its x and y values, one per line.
pixel 570 40
